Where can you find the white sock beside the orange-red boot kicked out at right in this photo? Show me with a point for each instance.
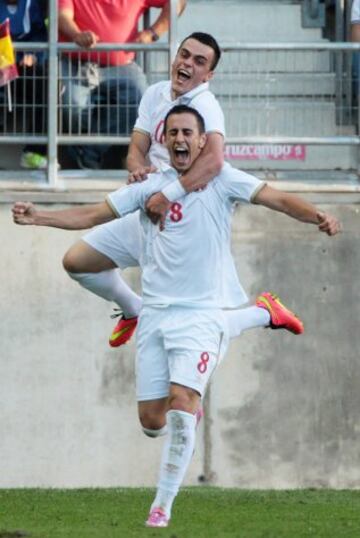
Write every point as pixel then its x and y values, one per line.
pixel 246 318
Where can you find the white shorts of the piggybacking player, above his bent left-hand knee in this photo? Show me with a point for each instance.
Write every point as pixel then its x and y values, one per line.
pixel 120 240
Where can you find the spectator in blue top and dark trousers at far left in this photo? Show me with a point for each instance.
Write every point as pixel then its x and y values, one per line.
pixel 27 24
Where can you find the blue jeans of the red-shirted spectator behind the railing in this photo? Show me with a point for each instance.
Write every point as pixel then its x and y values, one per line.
pixel 99 100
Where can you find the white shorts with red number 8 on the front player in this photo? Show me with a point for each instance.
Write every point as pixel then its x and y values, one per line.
pixel 177 345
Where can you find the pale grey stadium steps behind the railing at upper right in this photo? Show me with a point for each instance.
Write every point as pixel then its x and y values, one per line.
pixel 274 93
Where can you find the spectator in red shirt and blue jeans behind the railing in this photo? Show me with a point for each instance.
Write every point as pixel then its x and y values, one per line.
pixel 113 79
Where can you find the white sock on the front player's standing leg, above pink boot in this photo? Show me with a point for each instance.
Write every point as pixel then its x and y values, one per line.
pixel 176 456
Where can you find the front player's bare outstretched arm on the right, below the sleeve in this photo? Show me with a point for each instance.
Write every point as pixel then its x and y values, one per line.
pixel 298 208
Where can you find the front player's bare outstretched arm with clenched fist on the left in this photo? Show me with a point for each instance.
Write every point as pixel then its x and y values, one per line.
pixel 75 218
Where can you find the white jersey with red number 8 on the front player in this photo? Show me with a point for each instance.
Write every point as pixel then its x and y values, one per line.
pixel 184 264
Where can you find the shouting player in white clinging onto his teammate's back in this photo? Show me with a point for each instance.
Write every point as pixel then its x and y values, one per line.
pixel 92 260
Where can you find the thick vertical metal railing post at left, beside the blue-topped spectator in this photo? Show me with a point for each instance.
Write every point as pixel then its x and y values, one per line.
pixel 52 94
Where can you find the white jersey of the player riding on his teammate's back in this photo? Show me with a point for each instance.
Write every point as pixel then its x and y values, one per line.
pixel 156 103
